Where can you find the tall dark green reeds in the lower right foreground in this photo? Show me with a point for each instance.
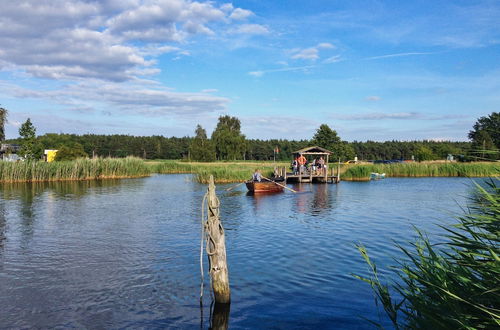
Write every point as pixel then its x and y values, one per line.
pixel 455 286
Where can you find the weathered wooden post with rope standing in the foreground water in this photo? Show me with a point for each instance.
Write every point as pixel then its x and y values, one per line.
pixel 216 249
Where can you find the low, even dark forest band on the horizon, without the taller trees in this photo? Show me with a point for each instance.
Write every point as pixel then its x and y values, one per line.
pixel 160 147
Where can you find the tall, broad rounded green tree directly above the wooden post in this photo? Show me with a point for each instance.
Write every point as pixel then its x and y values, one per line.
pixel 230 144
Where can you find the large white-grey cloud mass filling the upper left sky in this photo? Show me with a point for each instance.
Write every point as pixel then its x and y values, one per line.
pixel 79 39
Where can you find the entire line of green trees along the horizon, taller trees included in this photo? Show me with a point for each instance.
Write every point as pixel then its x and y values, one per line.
pixel 228 143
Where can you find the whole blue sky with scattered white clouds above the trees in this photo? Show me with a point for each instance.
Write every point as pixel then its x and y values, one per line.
pixel 371 70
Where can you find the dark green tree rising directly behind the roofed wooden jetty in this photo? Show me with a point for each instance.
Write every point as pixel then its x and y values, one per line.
pixel 327 138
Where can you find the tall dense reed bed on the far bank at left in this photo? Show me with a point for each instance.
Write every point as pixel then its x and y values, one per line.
pixel 80 169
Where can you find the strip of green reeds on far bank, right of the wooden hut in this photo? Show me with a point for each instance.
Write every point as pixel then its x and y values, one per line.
pixel 362 172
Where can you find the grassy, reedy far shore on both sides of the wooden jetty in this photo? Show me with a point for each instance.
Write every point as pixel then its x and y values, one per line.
pixel 223 172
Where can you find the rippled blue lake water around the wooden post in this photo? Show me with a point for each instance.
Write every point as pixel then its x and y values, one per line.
pixel 125 253
